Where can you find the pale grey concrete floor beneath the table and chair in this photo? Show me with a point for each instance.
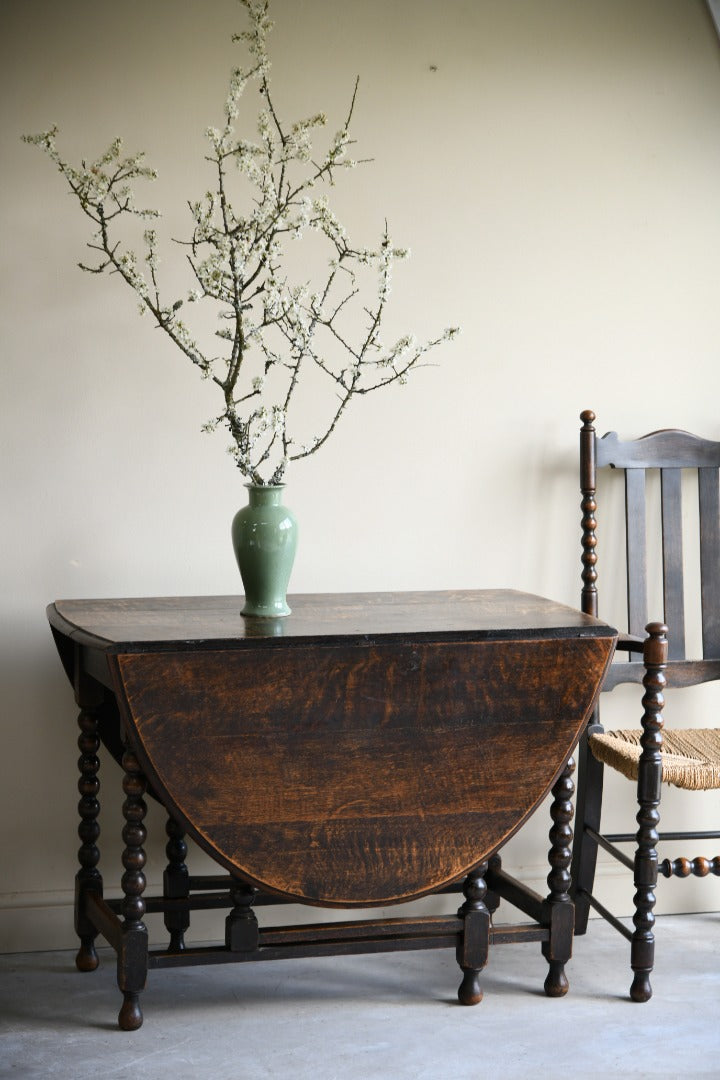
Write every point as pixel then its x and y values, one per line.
pixel 375 1018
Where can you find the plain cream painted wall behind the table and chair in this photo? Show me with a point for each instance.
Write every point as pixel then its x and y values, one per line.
pixel 555 169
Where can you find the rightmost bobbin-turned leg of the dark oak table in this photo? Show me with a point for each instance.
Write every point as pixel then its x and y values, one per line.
pixel 560 911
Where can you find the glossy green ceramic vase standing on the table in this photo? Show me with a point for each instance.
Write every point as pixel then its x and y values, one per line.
pixel 265 538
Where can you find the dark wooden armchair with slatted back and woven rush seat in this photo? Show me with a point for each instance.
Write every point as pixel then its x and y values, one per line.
pixel 656 656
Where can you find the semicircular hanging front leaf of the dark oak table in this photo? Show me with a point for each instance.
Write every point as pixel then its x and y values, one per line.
pixel 359 775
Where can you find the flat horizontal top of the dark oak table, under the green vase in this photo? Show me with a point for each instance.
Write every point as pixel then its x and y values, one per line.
pixel 119 626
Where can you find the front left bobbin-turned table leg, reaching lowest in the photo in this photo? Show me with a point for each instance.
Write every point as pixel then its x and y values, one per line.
pixel 133 952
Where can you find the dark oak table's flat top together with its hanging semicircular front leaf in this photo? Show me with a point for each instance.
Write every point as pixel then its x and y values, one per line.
pixel 368 750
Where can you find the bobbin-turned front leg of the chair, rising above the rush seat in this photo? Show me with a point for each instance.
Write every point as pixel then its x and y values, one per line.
pixel 643 949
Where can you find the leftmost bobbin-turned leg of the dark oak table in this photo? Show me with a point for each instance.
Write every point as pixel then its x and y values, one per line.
pixel 89 696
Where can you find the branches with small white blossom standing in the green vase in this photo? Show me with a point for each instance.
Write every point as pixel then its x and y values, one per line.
pixel 329 323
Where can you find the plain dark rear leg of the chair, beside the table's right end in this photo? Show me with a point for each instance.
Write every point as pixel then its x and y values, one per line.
pixel 589 806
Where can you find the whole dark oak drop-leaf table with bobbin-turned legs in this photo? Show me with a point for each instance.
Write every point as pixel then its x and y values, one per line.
pixel 368 751
